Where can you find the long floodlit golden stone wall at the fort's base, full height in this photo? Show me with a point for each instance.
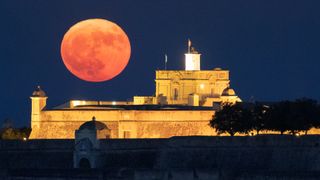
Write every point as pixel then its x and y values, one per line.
pixel 61 124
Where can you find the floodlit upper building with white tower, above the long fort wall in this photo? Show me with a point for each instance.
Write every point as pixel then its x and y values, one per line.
pixel 191 86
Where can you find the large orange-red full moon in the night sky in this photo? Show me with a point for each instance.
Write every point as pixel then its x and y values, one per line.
pixel 95 50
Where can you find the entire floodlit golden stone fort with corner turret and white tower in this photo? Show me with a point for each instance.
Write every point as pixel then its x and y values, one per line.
pixel 184 103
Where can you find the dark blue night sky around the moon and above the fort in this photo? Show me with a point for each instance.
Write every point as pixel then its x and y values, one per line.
pixel 271 47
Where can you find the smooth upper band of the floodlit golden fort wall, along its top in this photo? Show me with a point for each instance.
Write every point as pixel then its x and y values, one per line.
pixel 116 115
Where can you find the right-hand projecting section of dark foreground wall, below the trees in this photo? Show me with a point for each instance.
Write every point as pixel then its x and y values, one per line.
pixel 245 154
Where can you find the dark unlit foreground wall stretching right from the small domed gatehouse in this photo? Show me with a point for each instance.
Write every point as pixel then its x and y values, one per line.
pixel 231 155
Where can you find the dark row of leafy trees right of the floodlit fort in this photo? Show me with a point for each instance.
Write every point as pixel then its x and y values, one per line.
pixel 284 117
